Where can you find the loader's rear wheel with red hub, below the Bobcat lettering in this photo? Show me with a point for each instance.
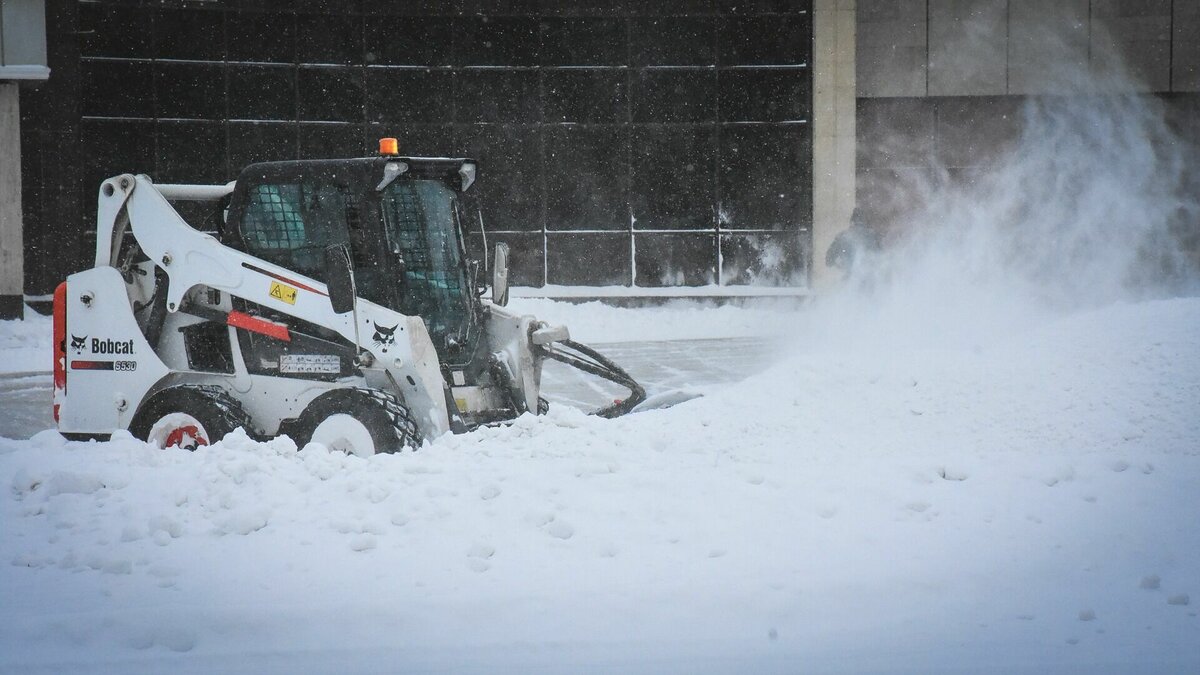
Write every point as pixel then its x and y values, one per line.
pixel 189 417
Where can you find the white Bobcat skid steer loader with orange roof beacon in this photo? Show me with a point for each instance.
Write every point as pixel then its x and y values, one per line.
pixel 334 302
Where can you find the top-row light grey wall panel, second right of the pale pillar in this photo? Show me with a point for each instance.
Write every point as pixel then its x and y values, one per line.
pixel 968 47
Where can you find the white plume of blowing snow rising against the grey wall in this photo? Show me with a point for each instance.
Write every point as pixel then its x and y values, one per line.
pixel 1095 202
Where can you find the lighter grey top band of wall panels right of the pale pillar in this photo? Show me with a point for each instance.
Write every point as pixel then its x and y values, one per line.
pixel 915 49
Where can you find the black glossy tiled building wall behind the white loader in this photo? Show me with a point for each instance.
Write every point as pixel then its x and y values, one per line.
pixel 650 144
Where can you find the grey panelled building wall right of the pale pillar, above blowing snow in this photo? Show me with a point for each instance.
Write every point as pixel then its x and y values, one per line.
pixel 943 83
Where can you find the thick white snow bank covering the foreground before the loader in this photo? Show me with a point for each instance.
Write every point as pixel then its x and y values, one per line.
pixel 1023 503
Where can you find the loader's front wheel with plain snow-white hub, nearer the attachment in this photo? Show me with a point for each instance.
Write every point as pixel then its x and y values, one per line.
pixel 359 422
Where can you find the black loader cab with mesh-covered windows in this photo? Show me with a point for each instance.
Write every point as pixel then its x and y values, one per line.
pixel 401 218
